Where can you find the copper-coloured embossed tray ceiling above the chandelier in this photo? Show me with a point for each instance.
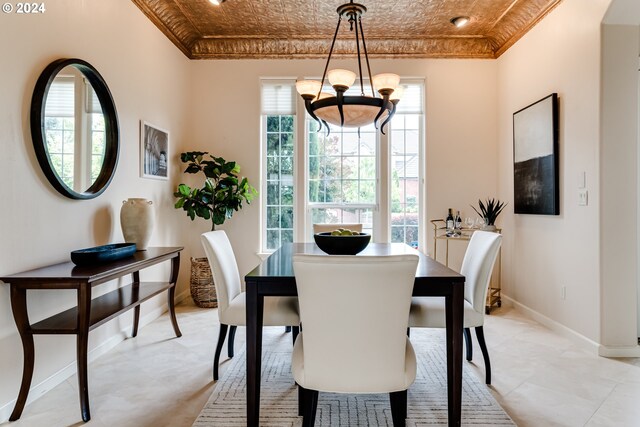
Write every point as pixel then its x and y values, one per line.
pixel 303 28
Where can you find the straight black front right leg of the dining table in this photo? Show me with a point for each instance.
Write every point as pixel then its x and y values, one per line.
pixel 454 318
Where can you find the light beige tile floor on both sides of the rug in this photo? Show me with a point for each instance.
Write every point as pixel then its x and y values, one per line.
pixel 540 378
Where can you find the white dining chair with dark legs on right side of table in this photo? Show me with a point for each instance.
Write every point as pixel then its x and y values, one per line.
pixel 477 265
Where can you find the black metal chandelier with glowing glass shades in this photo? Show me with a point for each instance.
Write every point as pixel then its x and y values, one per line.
pixel 347 110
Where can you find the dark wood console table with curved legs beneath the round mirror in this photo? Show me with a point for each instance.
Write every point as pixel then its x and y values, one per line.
pixel 89 313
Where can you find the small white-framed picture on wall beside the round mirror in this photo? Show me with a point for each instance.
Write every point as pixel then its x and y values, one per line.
pixel 154 152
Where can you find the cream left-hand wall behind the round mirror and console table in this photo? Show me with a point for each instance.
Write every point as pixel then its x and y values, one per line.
pixel 148 79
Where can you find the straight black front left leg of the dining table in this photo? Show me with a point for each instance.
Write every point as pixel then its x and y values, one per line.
pixel 255 307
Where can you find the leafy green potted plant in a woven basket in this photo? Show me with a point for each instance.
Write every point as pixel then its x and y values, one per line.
pixel 222 193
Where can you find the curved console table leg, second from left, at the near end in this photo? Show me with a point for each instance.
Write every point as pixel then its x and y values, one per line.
pixel 82 347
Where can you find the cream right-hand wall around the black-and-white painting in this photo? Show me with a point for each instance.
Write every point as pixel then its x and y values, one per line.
pixel 542 254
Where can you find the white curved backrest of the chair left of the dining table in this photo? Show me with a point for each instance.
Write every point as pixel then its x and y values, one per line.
pixel 224 268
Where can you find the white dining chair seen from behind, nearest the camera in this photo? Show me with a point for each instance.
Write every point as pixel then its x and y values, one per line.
pixel 354 312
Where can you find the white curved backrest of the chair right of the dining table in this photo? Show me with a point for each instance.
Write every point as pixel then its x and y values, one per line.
pixel 477 266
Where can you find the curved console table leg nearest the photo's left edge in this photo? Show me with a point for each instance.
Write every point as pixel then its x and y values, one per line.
pixel 19 309
